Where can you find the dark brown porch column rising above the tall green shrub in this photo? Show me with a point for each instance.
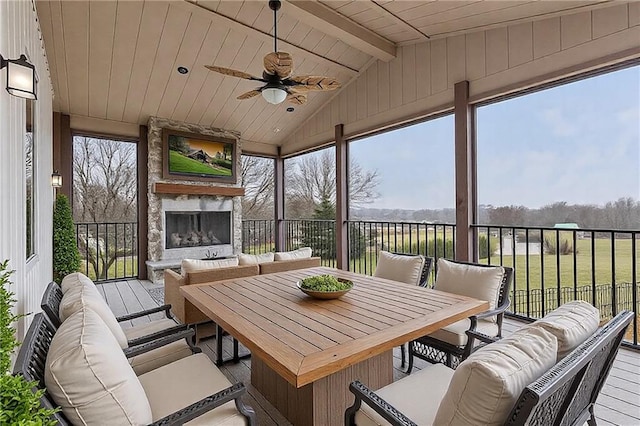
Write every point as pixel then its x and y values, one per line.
pixel 63 152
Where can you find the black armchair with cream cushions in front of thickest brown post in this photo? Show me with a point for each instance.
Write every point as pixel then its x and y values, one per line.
pixel 453 344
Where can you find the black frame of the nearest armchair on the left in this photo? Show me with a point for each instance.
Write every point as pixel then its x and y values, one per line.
pixel 31 360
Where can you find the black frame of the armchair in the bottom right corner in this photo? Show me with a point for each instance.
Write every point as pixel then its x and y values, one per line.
pixel 564 395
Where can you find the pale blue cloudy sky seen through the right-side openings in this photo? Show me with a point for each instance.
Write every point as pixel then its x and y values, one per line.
pixel 578 143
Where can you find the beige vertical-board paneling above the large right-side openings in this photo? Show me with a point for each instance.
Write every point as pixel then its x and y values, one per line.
pixel 420 80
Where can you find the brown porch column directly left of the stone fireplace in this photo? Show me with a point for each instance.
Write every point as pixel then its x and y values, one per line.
pixel 143 201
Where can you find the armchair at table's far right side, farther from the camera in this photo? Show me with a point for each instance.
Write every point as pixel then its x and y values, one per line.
pixel 400 267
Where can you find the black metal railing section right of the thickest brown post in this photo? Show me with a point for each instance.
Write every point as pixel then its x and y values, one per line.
pixel 556 265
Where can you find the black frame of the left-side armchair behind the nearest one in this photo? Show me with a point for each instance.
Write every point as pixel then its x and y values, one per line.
pixel 52 298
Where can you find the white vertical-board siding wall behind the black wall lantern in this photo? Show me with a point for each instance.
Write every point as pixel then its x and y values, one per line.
pixel 19 33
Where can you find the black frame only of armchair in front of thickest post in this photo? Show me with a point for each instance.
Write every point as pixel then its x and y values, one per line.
pixel 433 350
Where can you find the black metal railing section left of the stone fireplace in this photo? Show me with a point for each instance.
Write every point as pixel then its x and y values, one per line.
pixel 108 250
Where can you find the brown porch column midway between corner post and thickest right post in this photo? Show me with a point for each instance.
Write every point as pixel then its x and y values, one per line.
pixel 342 208
